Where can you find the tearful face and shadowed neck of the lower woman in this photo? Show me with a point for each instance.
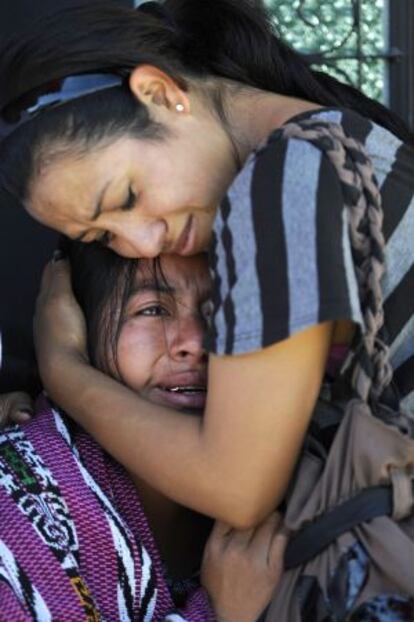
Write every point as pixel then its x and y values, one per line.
pixel 160 345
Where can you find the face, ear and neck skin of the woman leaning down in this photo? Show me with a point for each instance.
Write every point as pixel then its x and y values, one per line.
pixel 141 214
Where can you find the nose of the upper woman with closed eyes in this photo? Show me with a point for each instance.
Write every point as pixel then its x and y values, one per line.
pixel 140 240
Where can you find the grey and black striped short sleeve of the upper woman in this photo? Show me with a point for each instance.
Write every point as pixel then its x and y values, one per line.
pixel 281 257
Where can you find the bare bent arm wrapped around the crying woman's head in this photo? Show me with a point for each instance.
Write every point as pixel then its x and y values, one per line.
pixel 236 462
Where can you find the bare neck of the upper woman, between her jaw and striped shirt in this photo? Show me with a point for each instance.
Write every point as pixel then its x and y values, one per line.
pixel 254 114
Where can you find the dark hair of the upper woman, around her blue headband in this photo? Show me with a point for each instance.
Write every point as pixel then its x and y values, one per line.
pixel 227 39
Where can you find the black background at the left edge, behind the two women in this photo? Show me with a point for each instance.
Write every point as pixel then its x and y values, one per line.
pixel 25 246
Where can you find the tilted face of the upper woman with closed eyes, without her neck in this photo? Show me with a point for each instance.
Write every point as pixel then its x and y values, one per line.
pixel 142 215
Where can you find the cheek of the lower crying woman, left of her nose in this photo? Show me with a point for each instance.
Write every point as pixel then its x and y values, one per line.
pixel 139 349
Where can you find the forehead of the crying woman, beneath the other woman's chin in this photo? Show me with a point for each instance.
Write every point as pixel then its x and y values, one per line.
pixel 181 274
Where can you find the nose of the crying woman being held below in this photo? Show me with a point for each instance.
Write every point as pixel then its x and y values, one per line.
pixel 187 341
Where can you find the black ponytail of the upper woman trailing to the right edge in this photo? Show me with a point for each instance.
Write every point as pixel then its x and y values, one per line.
pixel 235 39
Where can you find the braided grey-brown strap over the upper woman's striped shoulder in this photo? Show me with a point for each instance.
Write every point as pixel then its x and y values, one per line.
pixel 371 370
